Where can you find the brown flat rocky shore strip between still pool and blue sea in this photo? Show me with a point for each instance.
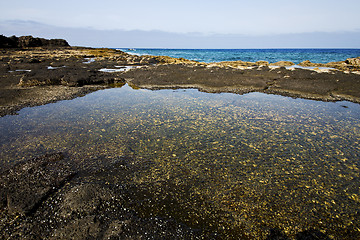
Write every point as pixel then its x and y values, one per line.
pixel 36 76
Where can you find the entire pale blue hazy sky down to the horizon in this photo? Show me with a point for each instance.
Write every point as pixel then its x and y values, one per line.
pixel 161 23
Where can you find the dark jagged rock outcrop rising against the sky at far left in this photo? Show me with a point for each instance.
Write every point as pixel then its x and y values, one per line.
pixel 30 41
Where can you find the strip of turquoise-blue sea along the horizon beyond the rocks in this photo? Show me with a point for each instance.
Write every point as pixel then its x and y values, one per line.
pixel 252 55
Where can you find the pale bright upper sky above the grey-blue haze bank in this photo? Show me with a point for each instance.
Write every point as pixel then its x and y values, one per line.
pixel 210 16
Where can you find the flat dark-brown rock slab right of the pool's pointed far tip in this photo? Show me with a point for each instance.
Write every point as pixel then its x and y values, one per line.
pixel 303 83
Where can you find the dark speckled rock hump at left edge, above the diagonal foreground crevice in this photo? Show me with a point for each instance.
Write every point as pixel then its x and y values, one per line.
pixel 24 187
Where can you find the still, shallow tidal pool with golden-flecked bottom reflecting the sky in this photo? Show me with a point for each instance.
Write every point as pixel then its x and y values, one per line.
pixel 240 165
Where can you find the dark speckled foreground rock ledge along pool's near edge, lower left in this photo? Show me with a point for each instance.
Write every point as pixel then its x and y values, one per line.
pixel 52 197
